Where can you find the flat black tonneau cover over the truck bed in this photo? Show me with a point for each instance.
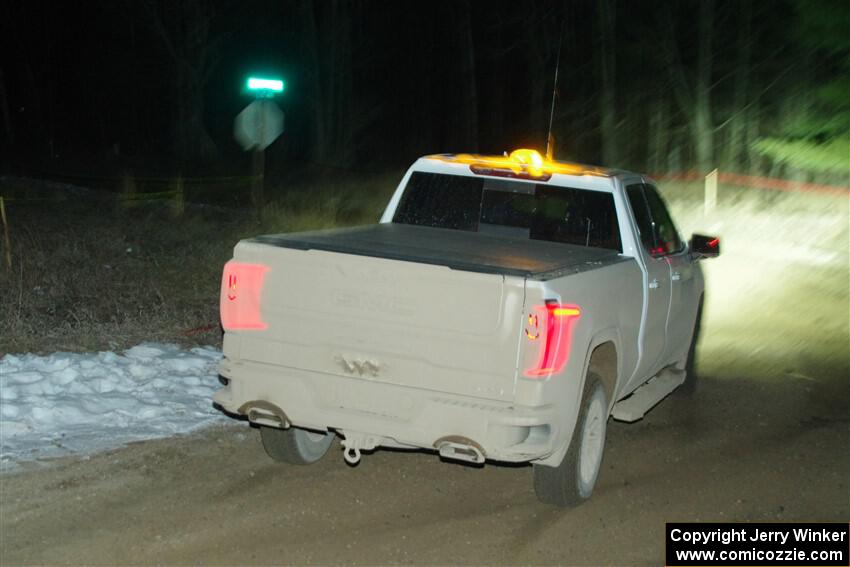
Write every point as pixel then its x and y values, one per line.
pixel 457 249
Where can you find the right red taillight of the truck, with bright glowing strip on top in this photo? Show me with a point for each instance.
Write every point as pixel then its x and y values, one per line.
pixel 552 324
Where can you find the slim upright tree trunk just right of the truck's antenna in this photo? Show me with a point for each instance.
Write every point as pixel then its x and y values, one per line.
pixel 607 64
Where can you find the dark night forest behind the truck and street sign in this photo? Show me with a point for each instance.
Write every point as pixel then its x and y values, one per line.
pixel 747 86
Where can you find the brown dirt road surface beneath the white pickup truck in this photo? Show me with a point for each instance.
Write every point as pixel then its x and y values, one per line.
pixel 743 449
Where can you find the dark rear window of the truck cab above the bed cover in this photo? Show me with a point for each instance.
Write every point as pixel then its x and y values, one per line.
pixel 511 209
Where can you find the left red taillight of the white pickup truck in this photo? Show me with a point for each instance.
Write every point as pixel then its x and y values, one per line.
pixel 241 285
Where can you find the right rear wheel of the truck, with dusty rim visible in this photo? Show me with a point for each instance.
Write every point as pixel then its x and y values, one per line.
pixel 572 482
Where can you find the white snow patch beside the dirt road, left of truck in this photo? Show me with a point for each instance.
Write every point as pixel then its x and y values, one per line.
pixel 82 403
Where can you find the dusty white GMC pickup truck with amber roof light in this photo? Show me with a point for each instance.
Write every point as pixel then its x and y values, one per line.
pixel 503 308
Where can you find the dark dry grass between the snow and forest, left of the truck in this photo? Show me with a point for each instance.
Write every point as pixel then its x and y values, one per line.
pixel 89 276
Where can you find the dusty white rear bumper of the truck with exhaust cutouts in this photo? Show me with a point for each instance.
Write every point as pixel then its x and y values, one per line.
pixel 393 415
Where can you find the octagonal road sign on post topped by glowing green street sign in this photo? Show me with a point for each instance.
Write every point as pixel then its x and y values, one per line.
pixel 256 127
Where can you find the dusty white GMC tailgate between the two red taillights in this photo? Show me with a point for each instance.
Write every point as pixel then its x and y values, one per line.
pixel 386 320
